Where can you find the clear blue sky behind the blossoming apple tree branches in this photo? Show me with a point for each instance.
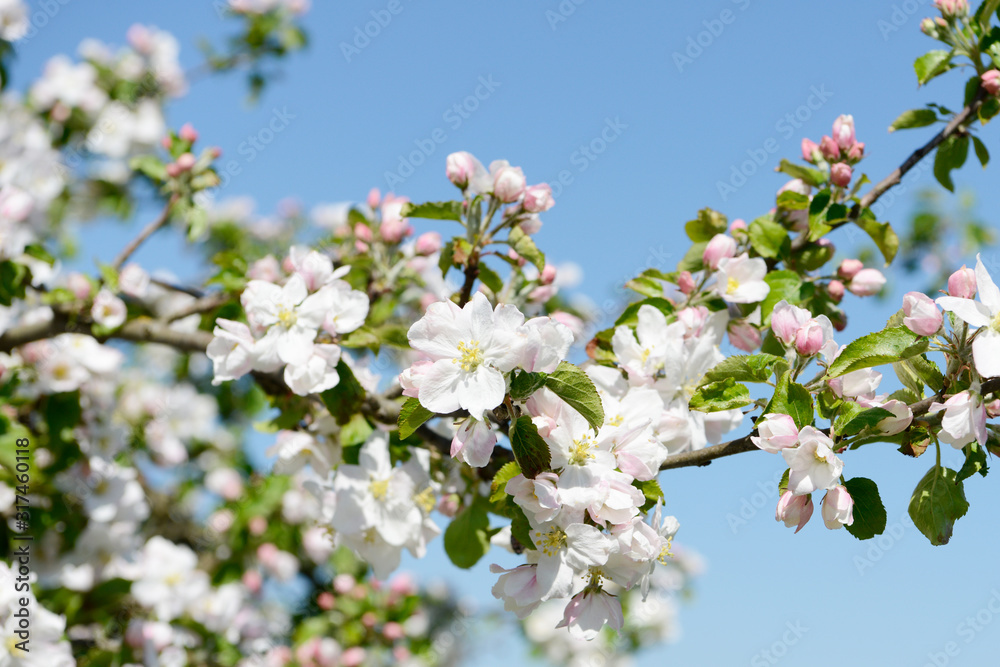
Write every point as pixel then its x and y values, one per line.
pixel 680 131
